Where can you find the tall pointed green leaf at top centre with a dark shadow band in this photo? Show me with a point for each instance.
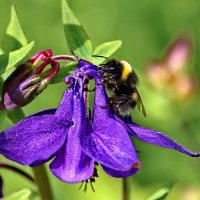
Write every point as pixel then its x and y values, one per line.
pixel 77 39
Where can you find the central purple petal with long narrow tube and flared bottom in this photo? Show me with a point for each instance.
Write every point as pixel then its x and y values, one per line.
pixel 71 163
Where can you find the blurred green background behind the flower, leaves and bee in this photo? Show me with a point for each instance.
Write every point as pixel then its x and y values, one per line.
pixel 146 28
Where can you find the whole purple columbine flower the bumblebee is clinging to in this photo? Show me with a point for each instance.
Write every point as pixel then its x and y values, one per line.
pixel 76 139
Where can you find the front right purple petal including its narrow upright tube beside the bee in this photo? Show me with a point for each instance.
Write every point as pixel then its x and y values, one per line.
pixel 107 142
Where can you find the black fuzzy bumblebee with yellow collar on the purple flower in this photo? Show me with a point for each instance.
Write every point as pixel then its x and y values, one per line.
pixel 121 80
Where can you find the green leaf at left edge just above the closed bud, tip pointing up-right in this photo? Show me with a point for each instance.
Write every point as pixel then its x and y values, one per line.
pixel 7 61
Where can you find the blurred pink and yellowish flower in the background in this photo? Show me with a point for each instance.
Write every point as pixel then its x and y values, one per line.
pixel 170 73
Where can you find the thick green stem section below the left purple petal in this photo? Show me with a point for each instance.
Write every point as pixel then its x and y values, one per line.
pixel 42 181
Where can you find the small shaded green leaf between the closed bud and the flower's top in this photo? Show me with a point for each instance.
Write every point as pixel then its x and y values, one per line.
pixel 63 72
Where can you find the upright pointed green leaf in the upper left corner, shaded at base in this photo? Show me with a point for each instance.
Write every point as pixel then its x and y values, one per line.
pixel 14 37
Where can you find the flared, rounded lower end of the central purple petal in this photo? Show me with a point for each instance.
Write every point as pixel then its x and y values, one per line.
pixel 71 164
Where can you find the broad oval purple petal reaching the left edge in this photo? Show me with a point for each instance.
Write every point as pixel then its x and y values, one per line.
pixel 34 139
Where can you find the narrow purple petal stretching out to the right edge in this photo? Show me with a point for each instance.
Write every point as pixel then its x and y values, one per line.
pixel 157 138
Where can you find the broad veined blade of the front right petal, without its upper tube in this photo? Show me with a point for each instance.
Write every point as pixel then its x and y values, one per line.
pixel 110 147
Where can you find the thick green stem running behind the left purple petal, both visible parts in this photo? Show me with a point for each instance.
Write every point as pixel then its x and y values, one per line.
pixel 40 173
